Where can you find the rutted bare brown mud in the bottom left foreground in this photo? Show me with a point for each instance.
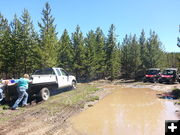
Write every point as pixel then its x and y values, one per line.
pixel 37 122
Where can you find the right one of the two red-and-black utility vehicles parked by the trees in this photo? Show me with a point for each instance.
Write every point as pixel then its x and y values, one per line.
pixel 169 75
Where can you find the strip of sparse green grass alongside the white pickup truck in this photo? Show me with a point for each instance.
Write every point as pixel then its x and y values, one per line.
pixel 55 104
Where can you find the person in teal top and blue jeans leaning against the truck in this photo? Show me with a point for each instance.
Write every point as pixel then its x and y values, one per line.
pixel 22 86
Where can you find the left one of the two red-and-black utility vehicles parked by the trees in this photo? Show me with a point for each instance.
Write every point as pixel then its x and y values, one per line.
pixel 152 75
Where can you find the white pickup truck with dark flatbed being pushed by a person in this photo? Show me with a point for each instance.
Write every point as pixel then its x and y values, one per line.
pixel 43 81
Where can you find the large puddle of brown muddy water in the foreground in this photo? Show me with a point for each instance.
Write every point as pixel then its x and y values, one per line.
pixel 127 111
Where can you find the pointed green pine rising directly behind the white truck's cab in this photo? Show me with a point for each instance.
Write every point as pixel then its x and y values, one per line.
pixel 65 52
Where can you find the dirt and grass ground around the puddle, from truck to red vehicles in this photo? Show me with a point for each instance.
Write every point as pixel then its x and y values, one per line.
pixel 51 117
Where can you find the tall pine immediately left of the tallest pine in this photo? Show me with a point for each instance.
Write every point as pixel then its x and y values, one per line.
pixel 29 50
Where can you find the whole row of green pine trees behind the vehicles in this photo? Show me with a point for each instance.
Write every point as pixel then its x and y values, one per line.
pixel 91 56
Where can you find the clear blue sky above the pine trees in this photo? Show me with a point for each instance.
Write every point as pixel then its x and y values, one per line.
pixel 128 16
